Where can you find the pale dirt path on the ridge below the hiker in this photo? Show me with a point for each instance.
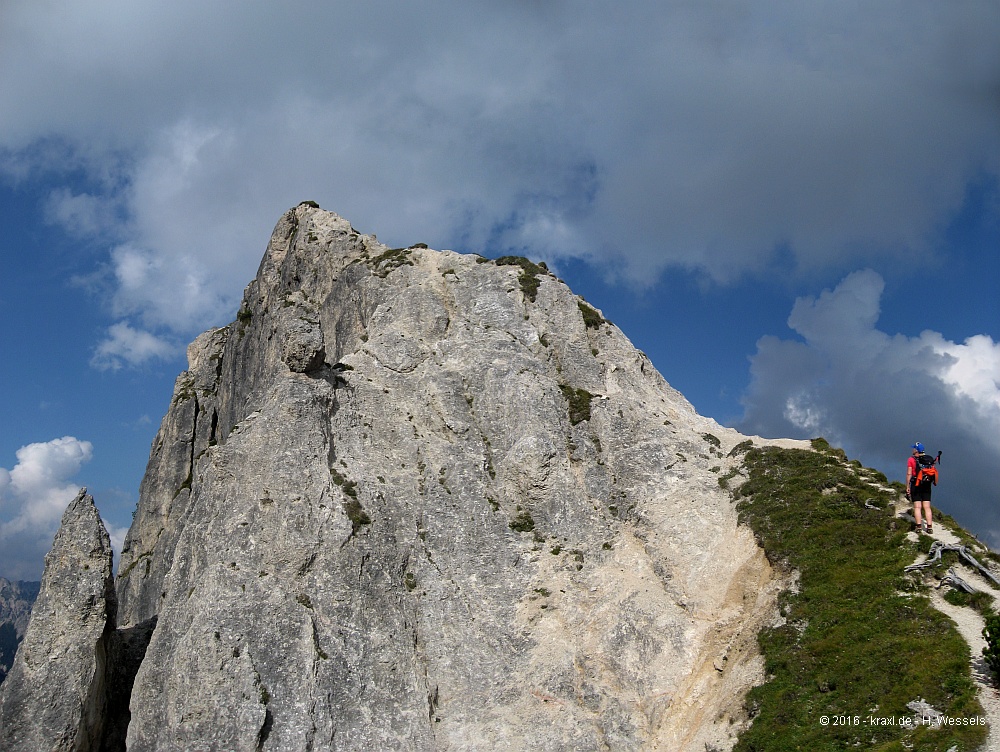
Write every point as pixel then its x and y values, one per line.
pixel 970 625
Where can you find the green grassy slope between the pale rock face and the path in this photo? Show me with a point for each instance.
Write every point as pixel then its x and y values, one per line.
pixel 859 639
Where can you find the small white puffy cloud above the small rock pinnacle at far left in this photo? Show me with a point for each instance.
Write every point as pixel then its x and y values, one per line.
pixel 33 497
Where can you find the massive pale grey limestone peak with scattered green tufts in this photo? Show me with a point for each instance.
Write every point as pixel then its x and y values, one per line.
pixel 413 499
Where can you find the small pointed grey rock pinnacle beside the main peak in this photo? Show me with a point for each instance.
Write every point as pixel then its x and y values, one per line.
pixel 54 696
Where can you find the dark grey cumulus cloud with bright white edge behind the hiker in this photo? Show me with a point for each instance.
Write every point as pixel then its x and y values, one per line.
pixel 875 394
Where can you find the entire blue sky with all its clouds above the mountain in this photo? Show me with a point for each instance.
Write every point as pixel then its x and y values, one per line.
pixel 793 208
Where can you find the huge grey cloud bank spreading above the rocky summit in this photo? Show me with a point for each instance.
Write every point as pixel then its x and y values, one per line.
pixel 640 136
